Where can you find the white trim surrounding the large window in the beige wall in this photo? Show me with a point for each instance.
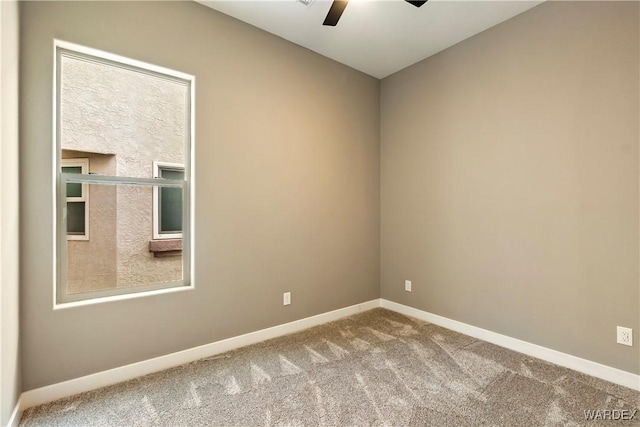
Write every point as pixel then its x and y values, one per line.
pixel 60 298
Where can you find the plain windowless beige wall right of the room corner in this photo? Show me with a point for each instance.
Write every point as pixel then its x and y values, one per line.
pixel 509 180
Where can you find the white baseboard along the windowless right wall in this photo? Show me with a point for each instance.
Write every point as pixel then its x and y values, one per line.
pixel 617 376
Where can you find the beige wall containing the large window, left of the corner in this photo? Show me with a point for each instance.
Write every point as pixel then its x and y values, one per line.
pixel 287 195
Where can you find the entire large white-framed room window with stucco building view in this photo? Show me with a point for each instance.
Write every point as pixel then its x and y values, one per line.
pixel 121 116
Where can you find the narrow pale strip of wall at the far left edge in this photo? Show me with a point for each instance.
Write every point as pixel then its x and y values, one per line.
pixel 10 385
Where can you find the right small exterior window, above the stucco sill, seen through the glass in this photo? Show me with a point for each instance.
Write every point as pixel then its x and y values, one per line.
pixel 167 202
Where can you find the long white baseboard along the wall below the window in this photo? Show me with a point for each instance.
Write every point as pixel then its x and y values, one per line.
pixel 52 392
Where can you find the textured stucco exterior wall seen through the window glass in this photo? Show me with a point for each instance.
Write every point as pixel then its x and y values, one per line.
pixel 123 121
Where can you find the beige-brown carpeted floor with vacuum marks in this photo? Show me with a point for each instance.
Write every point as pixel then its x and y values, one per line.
pixel 375 368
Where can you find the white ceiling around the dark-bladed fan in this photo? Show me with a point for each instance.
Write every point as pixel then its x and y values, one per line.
pixel 377 37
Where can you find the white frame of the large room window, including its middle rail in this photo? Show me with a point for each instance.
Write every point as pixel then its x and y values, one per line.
pixel 61 298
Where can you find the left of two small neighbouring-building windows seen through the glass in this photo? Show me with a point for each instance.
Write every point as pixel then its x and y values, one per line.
pixel 77 200
